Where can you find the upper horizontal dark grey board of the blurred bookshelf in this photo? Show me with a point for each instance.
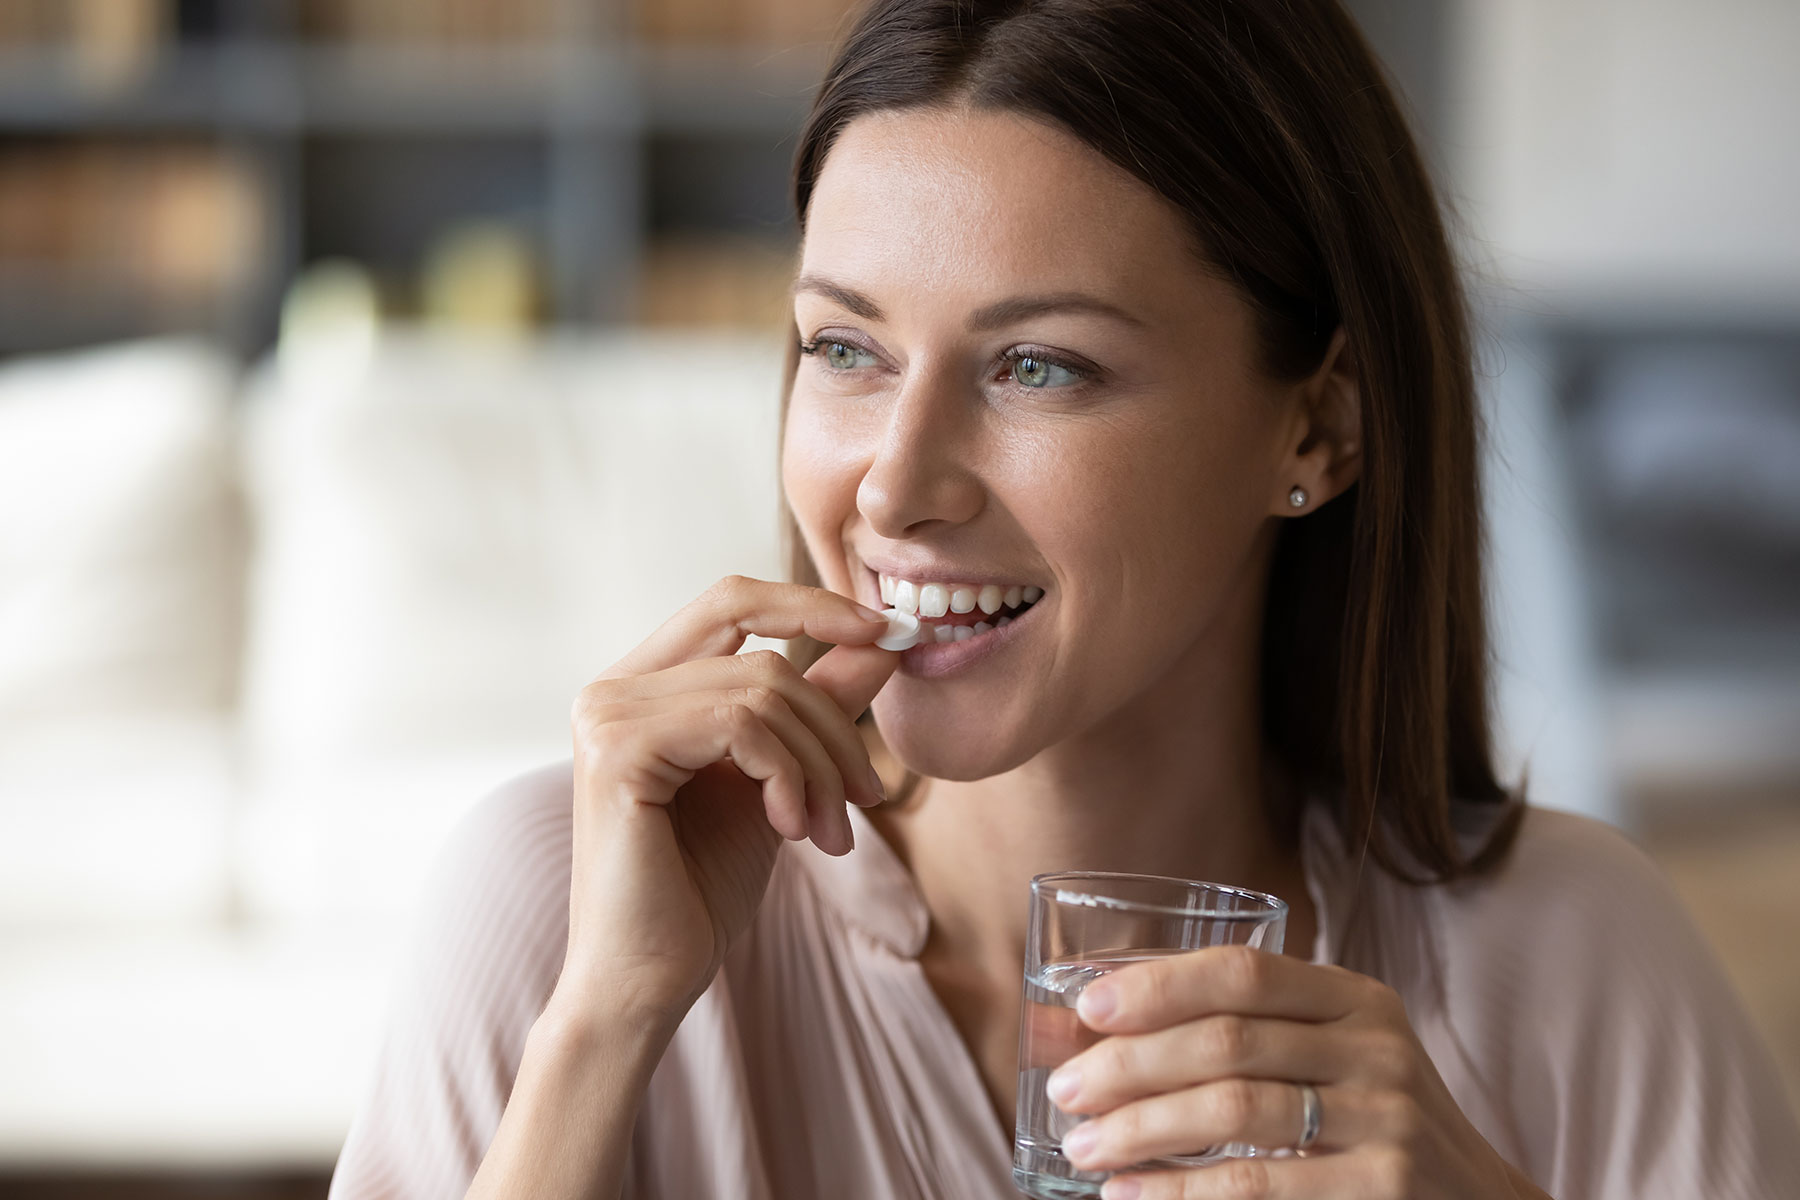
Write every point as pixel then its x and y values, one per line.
pixel 287 89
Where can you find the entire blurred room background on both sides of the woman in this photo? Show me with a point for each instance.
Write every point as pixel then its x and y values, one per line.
pixel 375 373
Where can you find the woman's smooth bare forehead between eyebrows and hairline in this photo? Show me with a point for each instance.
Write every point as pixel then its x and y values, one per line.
pixel 957 199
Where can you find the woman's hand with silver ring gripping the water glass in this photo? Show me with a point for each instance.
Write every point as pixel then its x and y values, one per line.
pixel 1210 1048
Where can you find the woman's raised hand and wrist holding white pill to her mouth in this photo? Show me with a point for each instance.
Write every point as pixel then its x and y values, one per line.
pixel 692 764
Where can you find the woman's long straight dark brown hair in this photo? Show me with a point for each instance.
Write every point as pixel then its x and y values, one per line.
pixel 1272 127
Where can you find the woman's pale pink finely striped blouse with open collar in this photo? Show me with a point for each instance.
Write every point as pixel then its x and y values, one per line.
pixel 1567 999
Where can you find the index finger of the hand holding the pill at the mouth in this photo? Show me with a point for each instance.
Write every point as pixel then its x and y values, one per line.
pixel 715 623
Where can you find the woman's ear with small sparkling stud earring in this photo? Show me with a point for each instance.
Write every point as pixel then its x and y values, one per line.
pixel 1324 440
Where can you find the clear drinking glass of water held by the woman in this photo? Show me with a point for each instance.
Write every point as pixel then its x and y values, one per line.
pixel 1084 926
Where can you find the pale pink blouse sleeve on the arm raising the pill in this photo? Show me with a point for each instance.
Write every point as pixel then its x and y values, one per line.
pixel 490 945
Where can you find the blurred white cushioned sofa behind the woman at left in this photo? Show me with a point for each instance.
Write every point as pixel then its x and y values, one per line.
pixel 262 641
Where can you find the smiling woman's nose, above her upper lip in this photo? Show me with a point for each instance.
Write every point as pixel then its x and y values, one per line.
pixel 926 461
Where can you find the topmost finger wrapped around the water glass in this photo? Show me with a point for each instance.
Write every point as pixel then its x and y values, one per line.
pixel 1218 980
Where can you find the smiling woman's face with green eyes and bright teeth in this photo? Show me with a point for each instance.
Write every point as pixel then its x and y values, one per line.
pixel 1023 377
